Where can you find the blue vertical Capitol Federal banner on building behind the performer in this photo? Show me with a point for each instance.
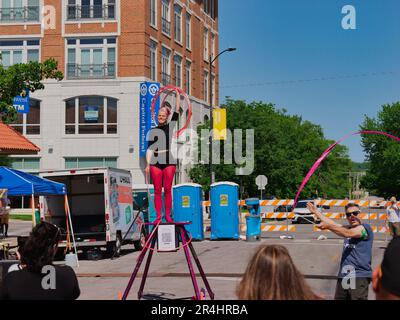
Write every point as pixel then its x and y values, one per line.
pixel 147 91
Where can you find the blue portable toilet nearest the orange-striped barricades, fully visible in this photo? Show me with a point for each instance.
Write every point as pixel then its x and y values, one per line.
pixel 224 210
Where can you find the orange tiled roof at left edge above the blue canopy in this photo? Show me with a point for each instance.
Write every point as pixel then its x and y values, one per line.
pixel 12 142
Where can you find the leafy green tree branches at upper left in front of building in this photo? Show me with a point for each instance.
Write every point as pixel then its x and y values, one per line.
pixel 23 76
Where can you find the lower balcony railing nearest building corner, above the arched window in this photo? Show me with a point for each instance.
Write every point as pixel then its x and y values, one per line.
pixel 91 71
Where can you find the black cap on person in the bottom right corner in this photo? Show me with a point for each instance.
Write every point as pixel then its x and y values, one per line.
pixel 391 267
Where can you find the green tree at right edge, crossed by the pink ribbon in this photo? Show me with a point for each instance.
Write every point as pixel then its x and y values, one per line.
pixel 383 153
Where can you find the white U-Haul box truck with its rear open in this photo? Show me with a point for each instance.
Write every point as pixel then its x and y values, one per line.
pixel 101 205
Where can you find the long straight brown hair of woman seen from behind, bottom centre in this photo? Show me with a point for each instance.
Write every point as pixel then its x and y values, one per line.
pixel 272 275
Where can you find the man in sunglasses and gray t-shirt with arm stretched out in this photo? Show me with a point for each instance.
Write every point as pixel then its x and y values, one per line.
pixel 355 267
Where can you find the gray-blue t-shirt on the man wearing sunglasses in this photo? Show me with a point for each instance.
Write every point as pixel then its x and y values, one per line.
pixel 357 253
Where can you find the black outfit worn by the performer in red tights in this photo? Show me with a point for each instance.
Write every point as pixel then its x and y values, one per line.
pixel 159 141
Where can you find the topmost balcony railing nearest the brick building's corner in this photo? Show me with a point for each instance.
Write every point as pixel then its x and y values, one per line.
pixel 102 12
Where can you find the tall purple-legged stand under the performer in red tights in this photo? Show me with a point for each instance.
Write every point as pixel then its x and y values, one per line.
pixel 187 247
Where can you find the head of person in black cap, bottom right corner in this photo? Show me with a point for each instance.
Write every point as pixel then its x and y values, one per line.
pixel 386 277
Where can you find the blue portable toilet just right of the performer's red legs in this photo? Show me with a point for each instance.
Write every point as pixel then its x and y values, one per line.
pixel 188 207
